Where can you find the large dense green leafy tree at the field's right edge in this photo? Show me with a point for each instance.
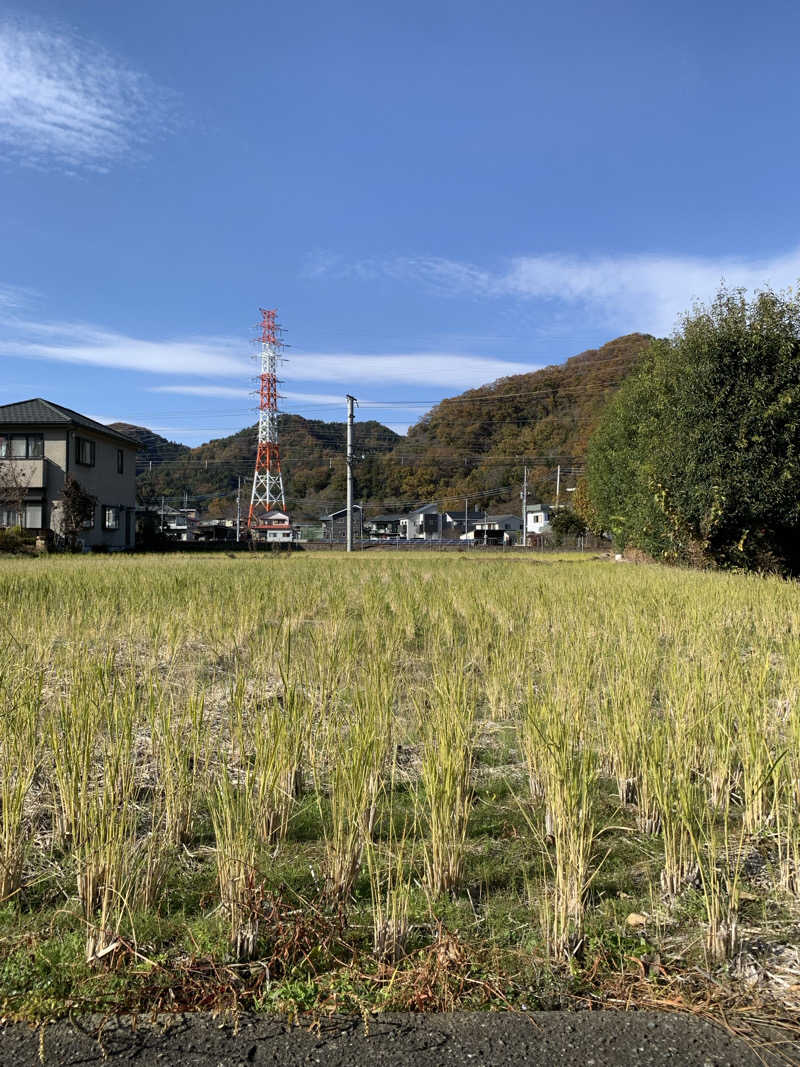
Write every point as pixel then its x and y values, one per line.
pixel 698 456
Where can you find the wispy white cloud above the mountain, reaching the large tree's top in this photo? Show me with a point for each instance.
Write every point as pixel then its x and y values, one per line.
pixel 644 292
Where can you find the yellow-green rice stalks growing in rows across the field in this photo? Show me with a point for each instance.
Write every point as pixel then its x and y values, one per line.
pixel 138 693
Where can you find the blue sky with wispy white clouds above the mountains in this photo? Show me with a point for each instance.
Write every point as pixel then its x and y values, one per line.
pixel 434 195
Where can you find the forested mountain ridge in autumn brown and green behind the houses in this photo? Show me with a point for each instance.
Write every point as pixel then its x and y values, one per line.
pixel 474 445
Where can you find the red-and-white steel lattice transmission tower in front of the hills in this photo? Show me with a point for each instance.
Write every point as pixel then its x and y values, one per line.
pixel 268 486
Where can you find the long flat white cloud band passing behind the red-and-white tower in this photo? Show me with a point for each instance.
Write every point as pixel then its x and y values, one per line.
pixel 220 358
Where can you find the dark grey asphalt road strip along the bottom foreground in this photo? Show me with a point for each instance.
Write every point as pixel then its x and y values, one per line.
pixel 591 1040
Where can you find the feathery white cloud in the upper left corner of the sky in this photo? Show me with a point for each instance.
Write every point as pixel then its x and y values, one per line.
pixel 70 102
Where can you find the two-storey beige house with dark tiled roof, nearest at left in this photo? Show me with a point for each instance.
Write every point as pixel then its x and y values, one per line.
pixel 41 443
